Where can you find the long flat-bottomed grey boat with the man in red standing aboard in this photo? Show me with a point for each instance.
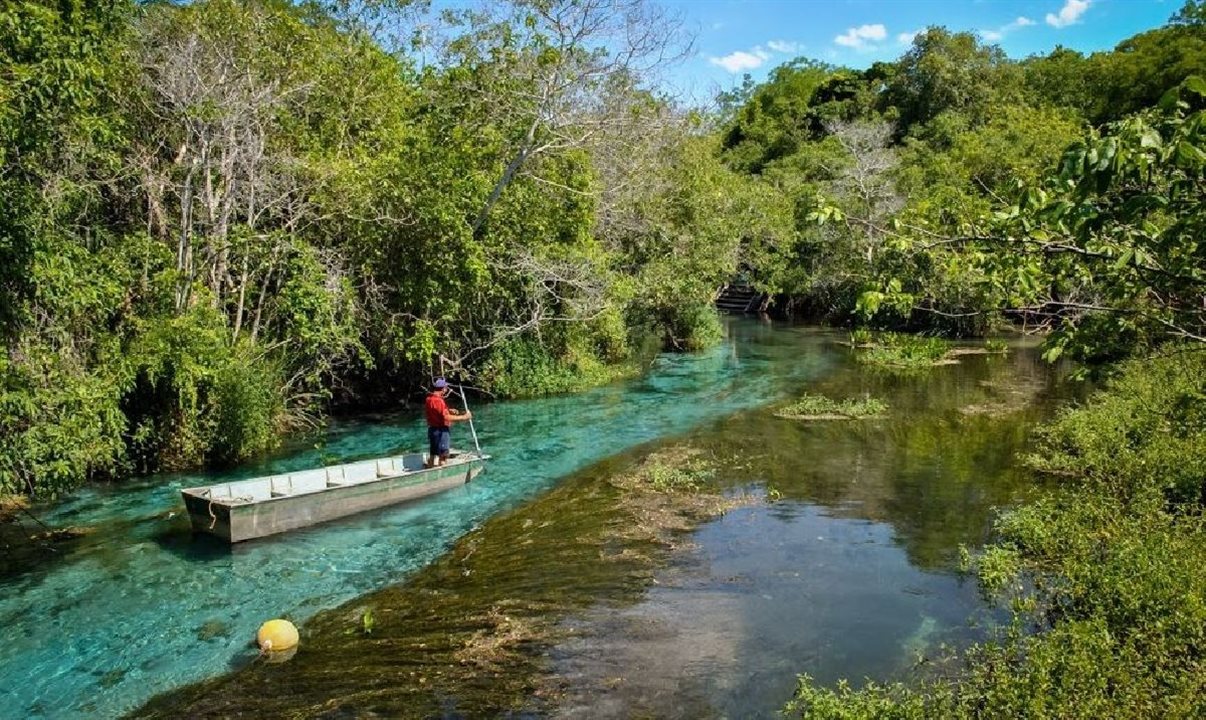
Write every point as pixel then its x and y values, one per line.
pixel 261 507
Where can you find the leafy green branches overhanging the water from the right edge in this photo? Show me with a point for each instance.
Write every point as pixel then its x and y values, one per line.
pixel 1107 250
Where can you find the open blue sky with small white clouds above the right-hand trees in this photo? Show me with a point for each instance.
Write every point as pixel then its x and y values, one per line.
pixel 740 37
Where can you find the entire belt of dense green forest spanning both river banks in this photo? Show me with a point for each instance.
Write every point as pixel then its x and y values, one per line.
pixel 224 220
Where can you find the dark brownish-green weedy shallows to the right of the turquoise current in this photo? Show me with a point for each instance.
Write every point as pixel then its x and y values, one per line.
pixel 546 612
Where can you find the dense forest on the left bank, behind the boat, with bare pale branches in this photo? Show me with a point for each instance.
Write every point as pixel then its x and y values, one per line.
pixel 224 219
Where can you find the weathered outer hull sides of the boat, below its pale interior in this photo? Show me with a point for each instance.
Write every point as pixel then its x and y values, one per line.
pixel 238 522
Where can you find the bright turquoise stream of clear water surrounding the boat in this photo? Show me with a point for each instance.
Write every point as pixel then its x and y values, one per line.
pixel 140 607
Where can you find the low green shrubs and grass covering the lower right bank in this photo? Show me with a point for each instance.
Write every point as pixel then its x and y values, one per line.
pixel 1107 569
